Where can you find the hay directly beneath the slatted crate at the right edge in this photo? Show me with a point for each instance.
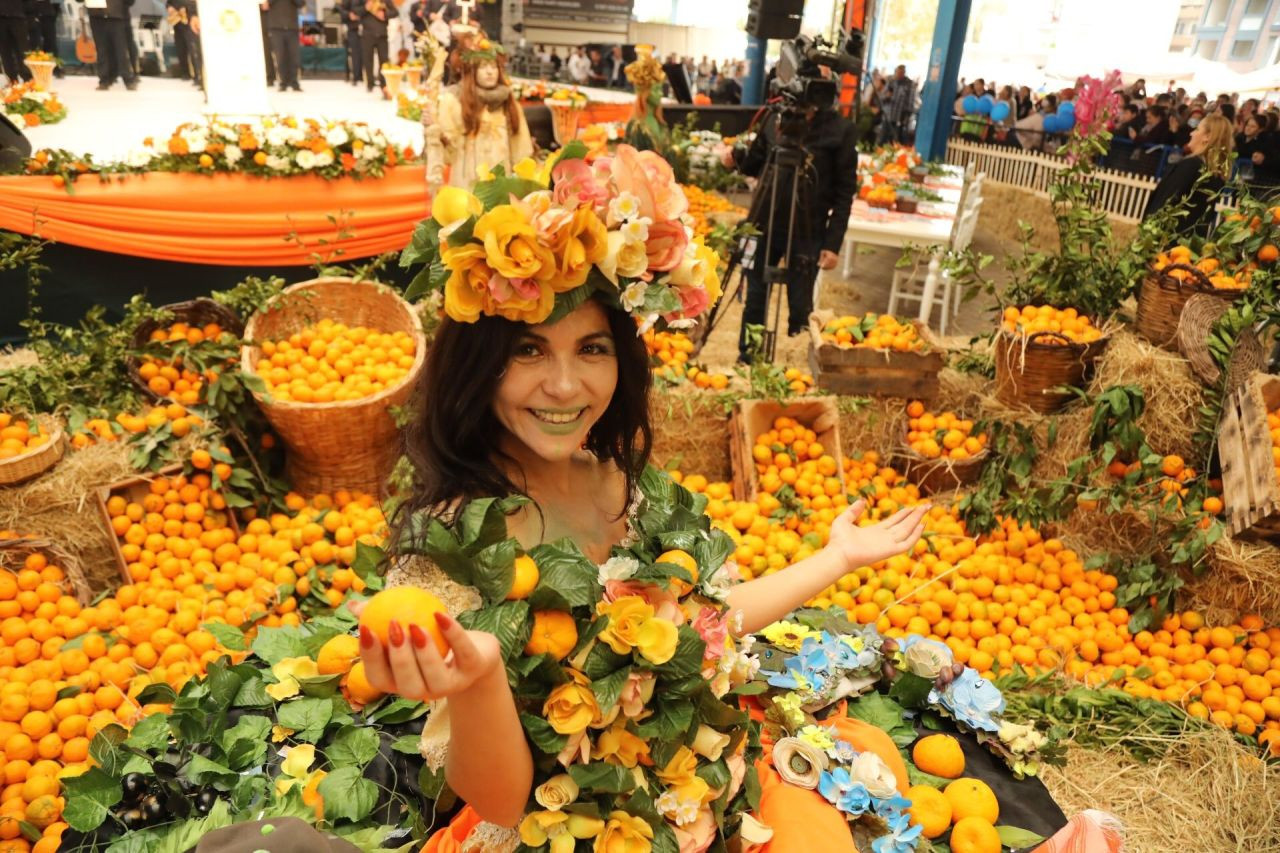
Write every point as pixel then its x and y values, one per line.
pixel 1244 578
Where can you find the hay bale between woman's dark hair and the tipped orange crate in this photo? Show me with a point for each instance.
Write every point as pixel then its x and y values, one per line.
pixel 691 432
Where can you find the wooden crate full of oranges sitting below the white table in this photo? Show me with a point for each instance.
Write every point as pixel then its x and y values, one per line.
pixel 874 355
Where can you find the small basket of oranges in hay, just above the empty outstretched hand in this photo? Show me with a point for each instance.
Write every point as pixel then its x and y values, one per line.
pixel 943 450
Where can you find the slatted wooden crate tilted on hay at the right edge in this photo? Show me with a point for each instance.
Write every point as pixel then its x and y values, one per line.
pixel 1250 486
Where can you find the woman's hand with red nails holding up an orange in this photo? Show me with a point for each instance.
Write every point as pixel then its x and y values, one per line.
pixel 413 668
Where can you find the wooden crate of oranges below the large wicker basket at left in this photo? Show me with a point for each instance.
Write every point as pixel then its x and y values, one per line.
pixel 154 519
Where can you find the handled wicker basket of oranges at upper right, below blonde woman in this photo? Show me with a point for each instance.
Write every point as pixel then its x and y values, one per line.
pixel 1172 281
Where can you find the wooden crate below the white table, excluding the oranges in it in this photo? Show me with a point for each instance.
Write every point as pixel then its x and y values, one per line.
pixel 861 372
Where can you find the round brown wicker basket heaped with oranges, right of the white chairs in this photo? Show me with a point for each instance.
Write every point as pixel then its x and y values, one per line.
pixel 1041 353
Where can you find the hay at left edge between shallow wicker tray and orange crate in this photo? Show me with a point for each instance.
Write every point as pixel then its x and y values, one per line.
pixel 61 507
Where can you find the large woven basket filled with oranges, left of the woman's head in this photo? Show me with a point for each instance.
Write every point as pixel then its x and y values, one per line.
pixel 336 355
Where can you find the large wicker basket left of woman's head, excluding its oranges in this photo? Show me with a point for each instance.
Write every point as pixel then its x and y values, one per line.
pixel 337 445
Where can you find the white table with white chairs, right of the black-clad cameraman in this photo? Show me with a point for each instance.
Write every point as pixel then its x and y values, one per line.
pixel 880 227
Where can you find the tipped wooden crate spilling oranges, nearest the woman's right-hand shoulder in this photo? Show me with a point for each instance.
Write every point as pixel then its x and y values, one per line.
pixel 810 428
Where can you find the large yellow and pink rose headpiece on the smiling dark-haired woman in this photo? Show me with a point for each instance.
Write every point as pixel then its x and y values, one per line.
pixel 536 245
